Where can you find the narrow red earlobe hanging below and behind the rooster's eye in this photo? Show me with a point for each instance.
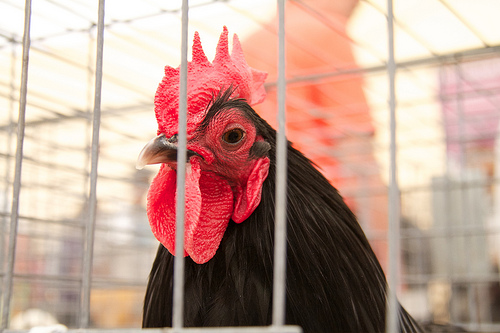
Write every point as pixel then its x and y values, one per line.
pixel 248 198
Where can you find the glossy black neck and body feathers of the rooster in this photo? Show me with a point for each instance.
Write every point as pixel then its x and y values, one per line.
pixel 334 281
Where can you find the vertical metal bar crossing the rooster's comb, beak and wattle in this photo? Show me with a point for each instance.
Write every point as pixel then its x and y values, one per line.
pixel 178 297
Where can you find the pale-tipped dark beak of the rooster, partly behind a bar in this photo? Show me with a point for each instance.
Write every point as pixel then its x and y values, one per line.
pixel 160 150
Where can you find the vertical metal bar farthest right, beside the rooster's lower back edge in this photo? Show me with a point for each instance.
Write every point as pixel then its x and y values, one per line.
pixel 394 205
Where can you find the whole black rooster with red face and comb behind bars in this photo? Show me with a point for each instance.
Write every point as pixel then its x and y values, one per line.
pixel 334 280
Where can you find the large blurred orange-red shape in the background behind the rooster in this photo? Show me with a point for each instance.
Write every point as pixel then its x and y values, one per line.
pixel 328 118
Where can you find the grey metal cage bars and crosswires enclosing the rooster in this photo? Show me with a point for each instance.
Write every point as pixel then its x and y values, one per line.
pixel 394 233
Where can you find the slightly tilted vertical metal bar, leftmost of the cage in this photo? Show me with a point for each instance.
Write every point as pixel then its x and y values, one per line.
pixel 14 217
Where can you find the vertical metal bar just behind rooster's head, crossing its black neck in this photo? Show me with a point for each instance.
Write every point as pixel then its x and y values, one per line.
pixel 279 281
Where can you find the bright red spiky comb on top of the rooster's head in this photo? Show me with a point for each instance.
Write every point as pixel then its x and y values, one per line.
pixel 205 80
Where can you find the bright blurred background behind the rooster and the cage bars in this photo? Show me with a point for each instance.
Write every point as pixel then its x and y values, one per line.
pixel 447 55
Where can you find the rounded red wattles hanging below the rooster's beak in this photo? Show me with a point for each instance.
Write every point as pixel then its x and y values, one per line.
pixel 209 205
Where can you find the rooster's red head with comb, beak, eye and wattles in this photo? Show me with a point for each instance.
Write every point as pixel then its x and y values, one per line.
pixel 227 157
